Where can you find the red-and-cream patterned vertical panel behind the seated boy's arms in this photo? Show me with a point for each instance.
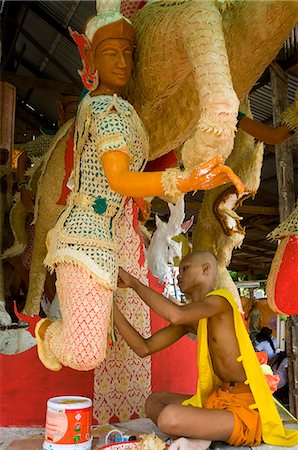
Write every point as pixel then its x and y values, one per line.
pixel 122 382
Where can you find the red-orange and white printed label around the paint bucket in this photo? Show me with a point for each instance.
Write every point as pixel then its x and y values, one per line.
pixel 69 426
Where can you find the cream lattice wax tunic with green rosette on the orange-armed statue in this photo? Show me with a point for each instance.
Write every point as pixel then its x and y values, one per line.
pixel 85 232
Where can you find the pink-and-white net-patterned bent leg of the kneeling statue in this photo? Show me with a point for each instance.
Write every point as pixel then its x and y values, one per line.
pixel 80 341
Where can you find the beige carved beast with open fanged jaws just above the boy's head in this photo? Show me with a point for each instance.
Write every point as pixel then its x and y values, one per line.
pixel 218 228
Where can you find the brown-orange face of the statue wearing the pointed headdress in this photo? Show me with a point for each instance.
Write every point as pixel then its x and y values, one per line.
pixel 113 60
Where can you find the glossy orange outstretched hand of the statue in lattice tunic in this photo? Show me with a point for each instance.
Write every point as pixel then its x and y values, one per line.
pixel 209 175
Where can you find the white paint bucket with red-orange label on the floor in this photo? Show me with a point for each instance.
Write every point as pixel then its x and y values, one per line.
pixel 68 423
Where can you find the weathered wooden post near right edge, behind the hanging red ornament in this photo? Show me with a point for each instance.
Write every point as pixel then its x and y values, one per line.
pixel 286 196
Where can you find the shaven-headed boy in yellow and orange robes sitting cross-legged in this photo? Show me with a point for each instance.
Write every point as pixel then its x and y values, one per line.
pixel 233 402
